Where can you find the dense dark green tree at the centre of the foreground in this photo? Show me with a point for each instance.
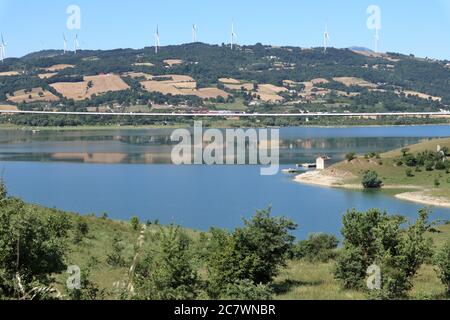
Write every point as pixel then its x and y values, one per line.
pixel 254 252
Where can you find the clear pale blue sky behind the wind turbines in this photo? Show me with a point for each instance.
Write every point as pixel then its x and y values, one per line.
pixel 414 26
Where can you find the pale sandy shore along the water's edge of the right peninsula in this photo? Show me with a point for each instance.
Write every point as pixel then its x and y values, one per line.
pixel 337 179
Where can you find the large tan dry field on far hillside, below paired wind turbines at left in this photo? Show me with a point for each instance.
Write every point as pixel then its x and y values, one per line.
pixel 100 84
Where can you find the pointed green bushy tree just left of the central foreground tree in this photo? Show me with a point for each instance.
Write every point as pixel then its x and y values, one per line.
pixel 168 274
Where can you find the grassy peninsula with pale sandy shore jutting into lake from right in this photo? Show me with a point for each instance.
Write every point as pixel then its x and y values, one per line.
pixel 418 173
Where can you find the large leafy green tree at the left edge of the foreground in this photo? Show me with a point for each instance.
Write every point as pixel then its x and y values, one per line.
pixel 30 249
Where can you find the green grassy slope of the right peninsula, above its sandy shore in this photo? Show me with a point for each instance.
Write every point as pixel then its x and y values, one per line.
pixel 393 175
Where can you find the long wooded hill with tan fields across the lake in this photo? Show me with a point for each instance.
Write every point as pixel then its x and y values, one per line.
pixel 259 78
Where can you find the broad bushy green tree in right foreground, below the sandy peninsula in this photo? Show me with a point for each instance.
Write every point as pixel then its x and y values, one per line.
pixel 375 238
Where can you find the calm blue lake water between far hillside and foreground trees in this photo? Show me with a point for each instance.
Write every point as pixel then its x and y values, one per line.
pixel 128 172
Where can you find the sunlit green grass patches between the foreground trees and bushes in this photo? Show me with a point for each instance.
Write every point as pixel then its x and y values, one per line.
pixel 299 280
